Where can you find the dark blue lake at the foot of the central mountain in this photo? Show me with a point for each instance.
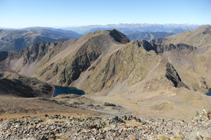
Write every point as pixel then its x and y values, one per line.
pixel 67 90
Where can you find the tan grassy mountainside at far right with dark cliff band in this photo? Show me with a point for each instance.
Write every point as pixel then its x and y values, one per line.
pixel 191 62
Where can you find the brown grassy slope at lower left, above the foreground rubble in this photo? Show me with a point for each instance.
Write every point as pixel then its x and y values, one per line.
pixel 18 107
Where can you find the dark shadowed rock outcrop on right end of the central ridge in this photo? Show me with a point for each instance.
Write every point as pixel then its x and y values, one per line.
pixel 174 77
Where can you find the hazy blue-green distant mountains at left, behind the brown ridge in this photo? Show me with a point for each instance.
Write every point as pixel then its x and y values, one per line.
pixel 20 39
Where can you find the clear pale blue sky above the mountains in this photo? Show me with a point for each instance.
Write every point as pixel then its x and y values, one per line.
pixel 73 13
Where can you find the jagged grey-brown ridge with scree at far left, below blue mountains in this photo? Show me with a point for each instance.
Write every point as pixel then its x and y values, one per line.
pixel 28 60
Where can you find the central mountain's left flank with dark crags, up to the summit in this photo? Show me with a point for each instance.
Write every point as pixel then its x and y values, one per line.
pixel 68 69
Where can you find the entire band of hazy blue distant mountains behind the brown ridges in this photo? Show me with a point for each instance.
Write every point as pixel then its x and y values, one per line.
pixel 17 39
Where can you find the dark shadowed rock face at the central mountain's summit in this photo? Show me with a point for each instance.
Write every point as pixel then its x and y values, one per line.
pixel 118 36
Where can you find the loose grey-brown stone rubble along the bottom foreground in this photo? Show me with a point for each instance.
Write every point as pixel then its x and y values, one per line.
pixel 124 127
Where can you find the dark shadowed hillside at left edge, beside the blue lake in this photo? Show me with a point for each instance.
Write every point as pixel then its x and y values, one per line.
pixel 21 86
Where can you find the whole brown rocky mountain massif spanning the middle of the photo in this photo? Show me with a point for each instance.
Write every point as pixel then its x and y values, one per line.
pixel 161 76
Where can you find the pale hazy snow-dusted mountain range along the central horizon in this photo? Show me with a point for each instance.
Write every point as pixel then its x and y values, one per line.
pixel 131 28
